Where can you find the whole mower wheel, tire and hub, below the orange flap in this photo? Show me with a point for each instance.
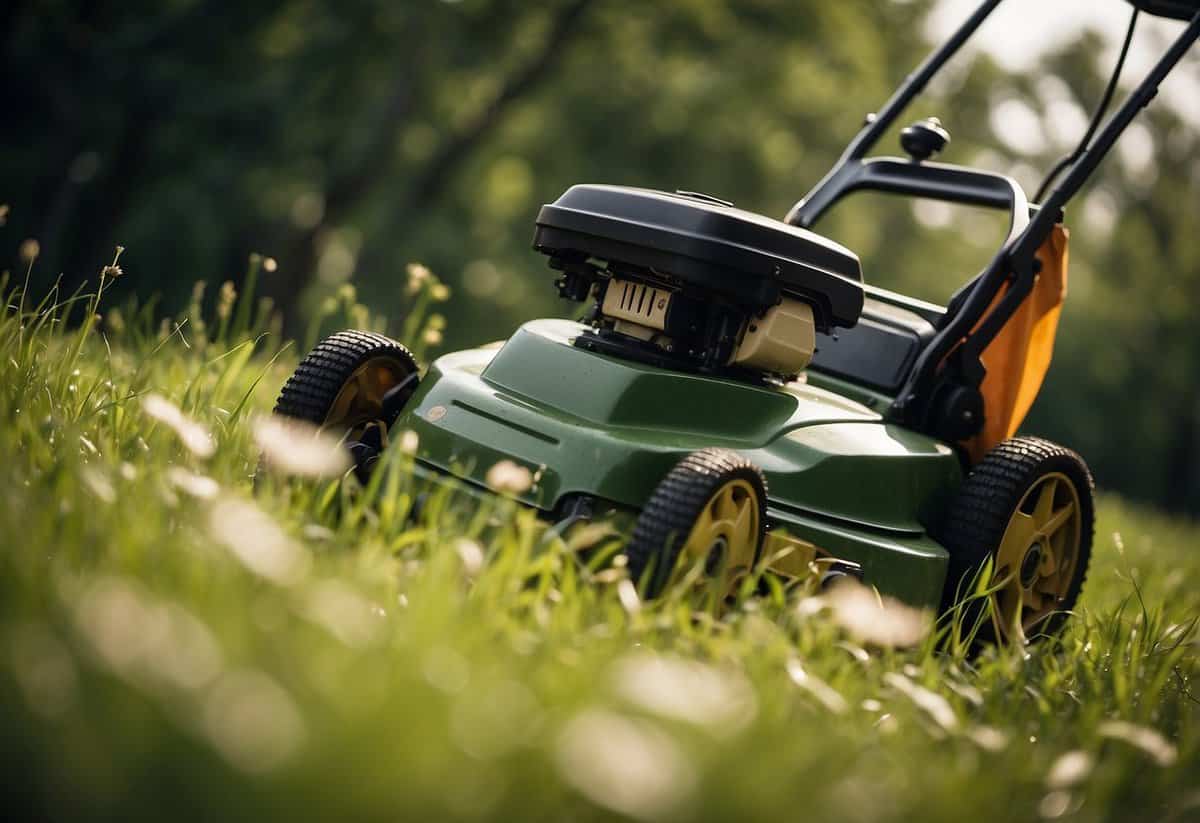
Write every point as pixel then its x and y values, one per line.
pixel 1027 512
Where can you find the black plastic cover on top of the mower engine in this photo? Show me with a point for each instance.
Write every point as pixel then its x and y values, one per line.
pixel 743 257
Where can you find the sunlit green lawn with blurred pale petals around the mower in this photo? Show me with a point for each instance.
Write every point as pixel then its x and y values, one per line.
pixel 178 641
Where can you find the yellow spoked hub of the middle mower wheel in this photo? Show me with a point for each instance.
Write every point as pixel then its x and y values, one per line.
pixel 725 534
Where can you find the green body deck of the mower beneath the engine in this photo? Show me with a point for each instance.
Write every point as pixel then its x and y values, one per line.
pixel 838 474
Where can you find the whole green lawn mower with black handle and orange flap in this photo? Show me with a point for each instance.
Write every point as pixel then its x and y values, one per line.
pixel 752 404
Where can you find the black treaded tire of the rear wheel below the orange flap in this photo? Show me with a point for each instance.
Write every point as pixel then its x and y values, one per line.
pixel 979 516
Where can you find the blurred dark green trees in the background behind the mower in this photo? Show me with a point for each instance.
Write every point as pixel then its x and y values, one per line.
pixel 347 140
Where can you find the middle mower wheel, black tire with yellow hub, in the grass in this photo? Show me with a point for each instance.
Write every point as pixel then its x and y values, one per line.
pixel 711 506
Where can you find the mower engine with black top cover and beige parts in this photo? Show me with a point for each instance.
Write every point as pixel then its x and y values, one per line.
pixel 686 281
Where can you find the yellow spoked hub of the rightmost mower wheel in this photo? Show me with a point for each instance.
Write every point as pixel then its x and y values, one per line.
pixel 1039 555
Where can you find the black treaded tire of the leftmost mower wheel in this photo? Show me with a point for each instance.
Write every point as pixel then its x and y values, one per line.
pixel 311 391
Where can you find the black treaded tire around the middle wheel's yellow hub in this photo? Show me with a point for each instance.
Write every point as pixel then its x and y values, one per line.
pixel 665 522
